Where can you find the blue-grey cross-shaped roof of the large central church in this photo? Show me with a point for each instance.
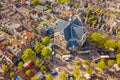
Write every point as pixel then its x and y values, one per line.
pixel 72 31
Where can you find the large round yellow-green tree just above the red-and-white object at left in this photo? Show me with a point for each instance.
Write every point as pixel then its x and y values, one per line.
pixel 28 55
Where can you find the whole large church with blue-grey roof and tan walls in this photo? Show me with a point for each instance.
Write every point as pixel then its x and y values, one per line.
pixel 69 35
